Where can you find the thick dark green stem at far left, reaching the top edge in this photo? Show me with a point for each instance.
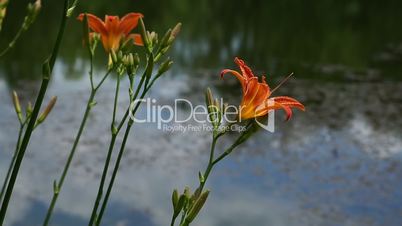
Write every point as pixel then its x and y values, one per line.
pixel 32 121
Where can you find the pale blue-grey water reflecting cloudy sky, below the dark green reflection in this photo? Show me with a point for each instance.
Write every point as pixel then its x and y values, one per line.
pixel 338 163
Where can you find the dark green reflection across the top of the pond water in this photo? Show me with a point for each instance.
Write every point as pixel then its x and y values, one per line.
pixel 324 39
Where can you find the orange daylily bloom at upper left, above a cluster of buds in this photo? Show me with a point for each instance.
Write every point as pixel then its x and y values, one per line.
pixel 113 30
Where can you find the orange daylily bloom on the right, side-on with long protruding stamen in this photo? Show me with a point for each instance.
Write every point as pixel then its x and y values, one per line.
pixel 256 99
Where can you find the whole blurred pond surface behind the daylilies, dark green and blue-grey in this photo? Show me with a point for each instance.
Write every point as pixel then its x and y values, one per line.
pixel 339 163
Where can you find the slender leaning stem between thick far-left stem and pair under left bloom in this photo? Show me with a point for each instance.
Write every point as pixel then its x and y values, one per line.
pixel 69 159
